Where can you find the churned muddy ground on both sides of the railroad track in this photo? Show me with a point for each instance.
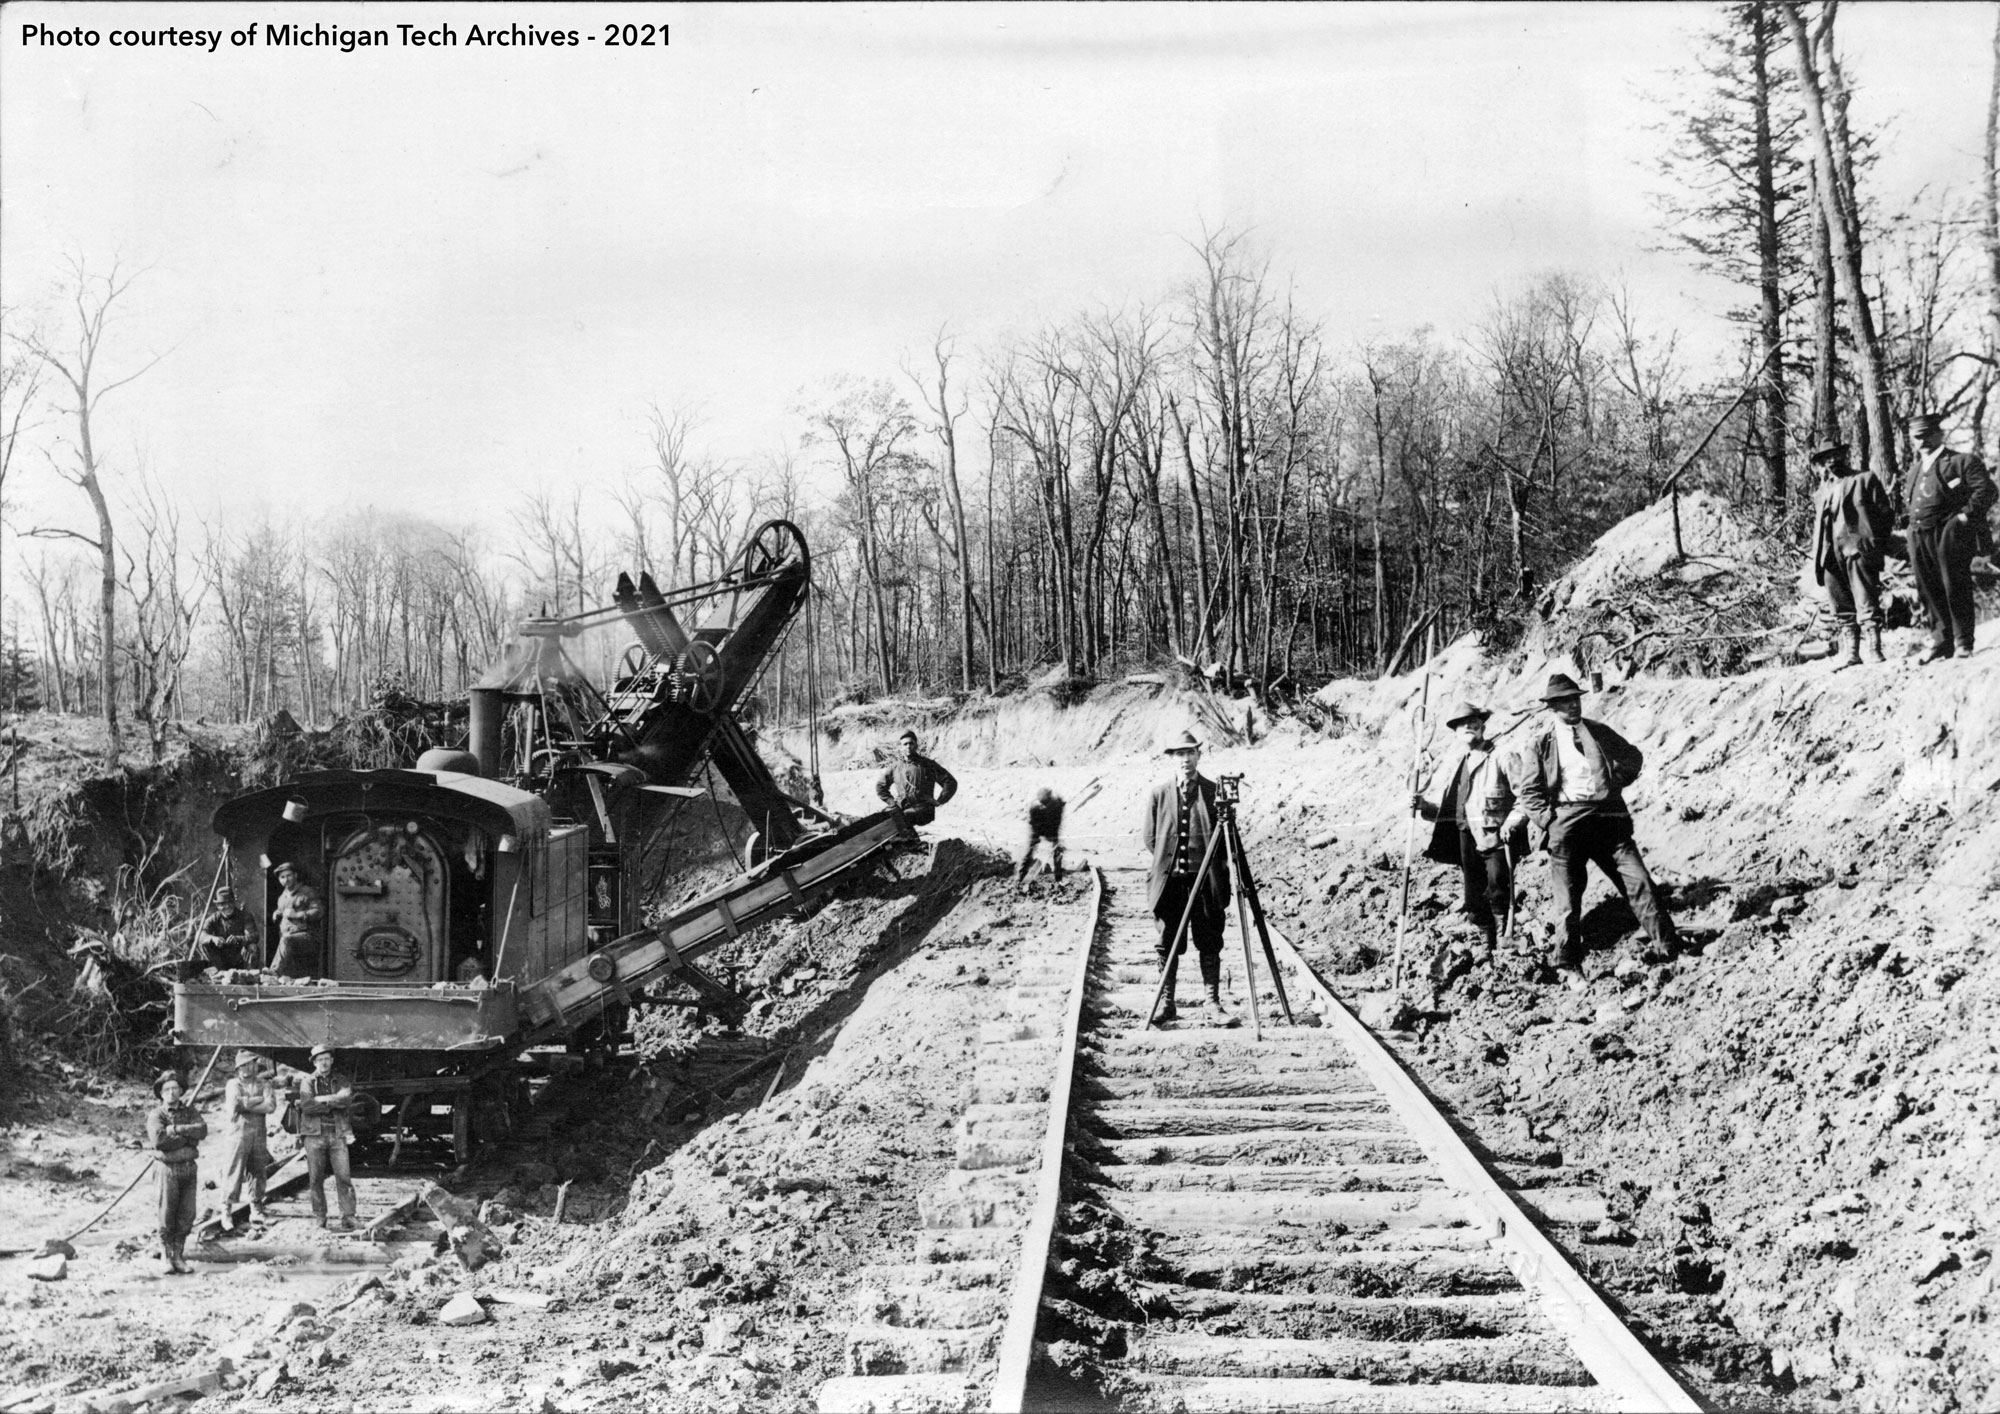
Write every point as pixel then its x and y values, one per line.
pixel 1795 1119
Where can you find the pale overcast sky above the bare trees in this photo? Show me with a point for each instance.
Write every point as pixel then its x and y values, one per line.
pixel 437 277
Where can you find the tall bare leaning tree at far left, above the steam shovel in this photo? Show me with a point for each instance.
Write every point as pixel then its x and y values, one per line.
pixel 77 365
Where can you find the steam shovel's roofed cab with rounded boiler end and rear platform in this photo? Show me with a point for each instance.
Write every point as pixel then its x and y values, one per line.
pixel 445 895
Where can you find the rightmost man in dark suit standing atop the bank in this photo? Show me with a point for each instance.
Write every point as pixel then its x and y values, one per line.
pixel 1947 497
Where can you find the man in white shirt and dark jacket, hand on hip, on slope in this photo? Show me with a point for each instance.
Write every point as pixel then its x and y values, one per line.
pixel 1571 781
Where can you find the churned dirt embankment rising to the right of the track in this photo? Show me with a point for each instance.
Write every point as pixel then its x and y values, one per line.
pixel 1803 1113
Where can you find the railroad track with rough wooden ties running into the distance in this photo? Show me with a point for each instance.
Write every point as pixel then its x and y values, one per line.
pixel 1213 1219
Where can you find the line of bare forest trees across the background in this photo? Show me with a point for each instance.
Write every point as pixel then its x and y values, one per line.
pixel 1205 473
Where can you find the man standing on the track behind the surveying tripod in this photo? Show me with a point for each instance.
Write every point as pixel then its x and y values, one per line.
pixel 1181 821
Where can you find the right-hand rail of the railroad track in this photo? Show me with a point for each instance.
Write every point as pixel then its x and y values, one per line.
pixel 1603 1343
